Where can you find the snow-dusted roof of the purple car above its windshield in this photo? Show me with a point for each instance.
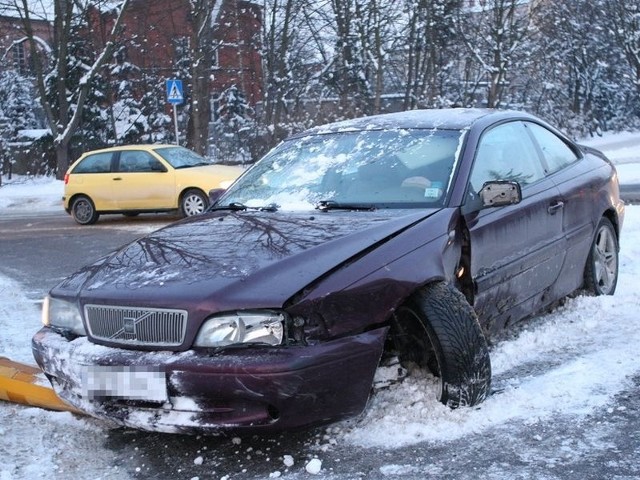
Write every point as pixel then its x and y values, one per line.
pixel 445 118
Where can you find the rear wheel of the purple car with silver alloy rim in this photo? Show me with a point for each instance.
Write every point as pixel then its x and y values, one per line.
pixel 601 270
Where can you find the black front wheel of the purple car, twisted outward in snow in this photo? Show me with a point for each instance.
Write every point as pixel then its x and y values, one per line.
pixel 438 329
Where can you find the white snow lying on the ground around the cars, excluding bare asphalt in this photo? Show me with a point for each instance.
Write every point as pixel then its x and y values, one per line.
pixel 569 362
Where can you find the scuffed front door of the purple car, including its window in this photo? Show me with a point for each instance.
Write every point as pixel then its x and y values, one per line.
pixel 516 251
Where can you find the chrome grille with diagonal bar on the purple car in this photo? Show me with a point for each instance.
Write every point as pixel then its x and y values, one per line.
pixel 136 326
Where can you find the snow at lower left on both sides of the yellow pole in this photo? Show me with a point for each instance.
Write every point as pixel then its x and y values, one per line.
pixel 37 443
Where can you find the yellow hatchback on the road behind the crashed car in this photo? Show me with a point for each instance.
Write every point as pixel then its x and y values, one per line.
pixel 142 178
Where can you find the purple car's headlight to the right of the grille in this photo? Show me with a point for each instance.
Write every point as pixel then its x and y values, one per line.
pixel 245 327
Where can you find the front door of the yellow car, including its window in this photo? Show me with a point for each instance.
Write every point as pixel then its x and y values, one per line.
pixel 143 182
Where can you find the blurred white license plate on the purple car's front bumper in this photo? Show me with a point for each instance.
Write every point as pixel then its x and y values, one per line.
pixel 125 382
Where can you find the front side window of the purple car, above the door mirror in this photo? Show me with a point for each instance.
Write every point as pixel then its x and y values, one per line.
pixel 506 152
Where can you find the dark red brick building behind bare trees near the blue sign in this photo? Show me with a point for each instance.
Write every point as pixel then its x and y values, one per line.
pixel 157 34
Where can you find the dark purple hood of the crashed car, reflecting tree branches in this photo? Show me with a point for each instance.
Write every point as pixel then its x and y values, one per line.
pixel 230 260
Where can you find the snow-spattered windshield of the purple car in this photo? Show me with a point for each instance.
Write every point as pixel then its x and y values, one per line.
pixel 381 169
